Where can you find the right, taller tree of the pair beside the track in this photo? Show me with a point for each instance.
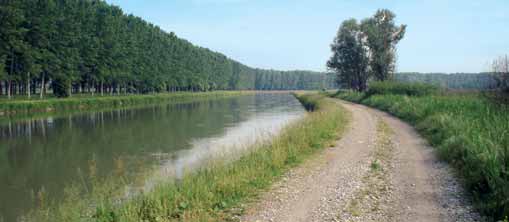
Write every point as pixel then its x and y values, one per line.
pixel 382 37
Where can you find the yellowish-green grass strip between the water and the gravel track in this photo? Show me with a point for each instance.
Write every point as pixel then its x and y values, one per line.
pixel 216 193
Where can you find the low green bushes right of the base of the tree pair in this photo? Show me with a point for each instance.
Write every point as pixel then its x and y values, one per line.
pixel 398 88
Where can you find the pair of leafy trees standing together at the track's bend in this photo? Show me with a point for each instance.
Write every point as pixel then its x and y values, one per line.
pixel 366 50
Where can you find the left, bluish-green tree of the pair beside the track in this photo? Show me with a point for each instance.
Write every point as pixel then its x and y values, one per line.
pixel 350 56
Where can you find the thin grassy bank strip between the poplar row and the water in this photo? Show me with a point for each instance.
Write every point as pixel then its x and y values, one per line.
pixel 25 107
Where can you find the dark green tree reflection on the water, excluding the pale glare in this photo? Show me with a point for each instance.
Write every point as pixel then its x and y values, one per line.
pixel 50 152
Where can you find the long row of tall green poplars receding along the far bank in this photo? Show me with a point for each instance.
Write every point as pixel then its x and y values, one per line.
pixel 89 46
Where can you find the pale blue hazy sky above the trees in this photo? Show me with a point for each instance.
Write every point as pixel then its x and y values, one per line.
pixel 442 35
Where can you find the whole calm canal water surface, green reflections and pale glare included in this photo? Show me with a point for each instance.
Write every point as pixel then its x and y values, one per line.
pixel 41 157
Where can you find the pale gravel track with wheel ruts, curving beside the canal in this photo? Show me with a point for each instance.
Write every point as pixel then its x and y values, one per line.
pixel 381 170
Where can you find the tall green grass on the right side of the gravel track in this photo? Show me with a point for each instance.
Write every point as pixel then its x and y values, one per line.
pixel 469 131
